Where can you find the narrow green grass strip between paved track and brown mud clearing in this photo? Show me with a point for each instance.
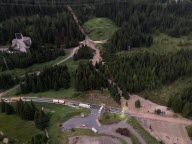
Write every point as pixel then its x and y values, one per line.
pixel 148 138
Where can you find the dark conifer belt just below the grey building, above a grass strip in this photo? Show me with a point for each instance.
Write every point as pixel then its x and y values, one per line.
pixel 37 54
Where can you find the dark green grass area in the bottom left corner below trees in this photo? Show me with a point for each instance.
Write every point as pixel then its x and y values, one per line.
pixel 16 128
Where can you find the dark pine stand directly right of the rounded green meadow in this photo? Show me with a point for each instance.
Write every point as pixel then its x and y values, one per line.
pixel 130 35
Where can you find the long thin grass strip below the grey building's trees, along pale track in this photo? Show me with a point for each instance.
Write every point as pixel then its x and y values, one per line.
pixel 38 67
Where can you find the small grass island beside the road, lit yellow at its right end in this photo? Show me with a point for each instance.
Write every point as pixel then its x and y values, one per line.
pixel 111 118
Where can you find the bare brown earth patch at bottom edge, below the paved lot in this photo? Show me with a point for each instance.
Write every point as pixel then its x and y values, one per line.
pixel 93 140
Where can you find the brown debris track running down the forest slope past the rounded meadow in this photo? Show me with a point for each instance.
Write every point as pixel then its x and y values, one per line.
pixel 97 57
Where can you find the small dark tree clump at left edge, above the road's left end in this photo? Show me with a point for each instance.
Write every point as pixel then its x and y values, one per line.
pixel 7 81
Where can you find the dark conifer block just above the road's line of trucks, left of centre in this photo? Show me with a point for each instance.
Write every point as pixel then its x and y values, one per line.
pixel 50 78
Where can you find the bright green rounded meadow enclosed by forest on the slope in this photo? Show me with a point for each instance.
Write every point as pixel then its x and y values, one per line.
pixel 100 28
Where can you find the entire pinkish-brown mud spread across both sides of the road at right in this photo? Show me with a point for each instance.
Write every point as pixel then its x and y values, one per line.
pixel 166 128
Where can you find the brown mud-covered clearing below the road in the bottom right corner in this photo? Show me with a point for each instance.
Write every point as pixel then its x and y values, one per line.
pixel 168 132
